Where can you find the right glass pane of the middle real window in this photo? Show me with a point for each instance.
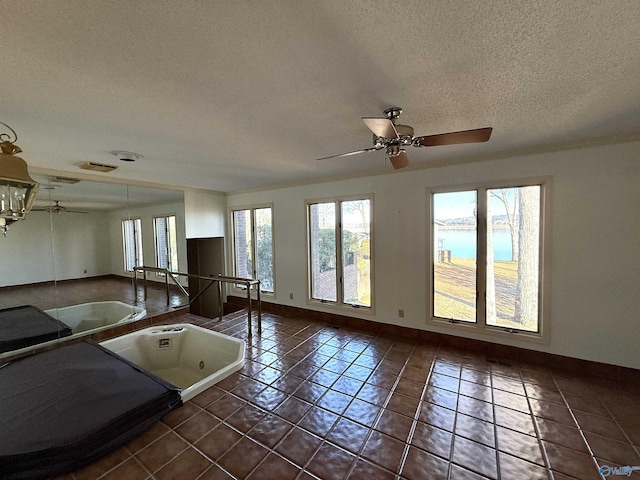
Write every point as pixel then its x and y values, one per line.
pixel 356 253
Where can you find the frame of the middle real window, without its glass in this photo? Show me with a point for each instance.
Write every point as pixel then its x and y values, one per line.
pixel 339 302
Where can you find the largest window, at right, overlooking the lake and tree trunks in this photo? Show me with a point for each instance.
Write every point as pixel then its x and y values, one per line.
pixel 486 256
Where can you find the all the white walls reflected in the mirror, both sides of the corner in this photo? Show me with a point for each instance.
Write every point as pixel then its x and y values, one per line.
pixel 91 242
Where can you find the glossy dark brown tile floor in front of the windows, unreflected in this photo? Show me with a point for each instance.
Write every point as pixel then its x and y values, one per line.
pixel 316 401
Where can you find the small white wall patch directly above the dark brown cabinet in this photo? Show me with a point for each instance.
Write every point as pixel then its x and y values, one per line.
pixel 205 214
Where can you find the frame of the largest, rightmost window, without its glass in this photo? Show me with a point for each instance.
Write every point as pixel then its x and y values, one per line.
pixel 544 267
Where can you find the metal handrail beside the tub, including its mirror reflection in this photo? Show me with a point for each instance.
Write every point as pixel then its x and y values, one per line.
pixel 218 280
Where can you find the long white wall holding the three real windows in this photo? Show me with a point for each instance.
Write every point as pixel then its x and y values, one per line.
pixel 595 245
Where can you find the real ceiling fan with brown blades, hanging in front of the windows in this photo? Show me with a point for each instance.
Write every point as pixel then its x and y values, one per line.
pixel 389 135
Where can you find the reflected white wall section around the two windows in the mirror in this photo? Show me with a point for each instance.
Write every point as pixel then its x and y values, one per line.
pixel 146 214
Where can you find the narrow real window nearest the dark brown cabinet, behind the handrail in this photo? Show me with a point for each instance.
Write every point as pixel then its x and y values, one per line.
pixel 253 245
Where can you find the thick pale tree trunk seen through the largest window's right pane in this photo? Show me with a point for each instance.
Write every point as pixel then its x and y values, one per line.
pixel 526 301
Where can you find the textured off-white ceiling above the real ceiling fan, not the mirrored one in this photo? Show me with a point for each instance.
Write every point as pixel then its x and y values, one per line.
pixel 236 95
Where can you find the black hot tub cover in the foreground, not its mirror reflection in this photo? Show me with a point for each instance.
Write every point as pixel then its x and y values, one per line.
pixel 63 408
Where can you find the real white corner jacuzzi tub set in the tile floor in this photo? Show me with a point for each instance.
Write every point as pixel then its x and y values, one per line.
pixel 190 357
